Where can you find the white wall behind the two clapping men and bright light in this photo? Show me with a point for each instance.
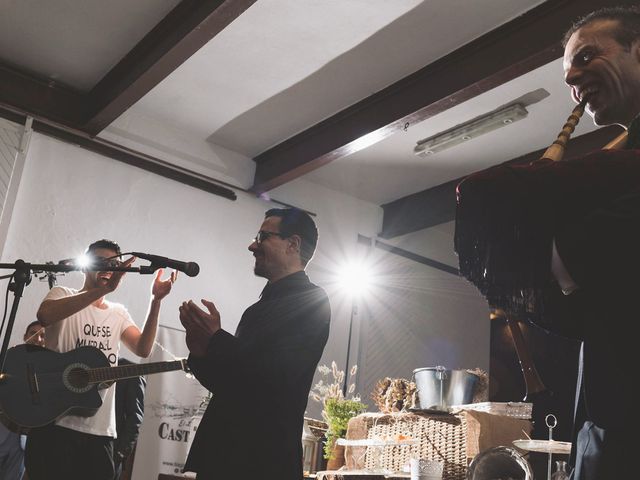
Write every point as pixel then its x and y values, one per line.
pixel 70 197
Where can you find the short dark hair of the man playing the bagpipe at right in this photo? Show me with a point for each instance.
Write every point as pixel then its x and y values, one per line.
pixel 628 18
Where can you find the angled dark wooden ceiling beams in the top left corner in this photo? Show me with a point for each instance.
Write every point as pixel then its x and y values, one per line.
pixel 186 29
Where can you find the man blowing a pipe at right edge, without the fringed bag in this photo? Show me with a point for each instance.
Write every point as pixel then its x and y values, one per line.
pixel 595 257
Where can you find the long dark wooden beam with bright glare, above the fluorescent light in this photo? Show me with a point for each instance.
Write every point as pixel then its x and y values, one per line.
pixel 522 45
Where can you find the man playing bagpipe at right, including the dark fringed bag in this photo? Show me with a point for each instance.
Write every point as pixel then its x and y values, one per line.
pixel 557 242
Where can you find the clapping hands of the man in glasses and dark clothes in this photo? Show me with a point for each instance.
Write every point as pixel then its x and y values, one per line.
pixel 200 325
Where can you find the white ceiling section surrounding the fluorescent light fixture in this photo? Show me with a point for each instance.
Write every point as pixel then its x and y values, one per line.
pixel 382 172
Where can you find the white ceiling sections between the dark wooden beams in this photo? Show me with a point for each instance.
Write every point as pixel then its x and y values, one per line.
pixel 285 65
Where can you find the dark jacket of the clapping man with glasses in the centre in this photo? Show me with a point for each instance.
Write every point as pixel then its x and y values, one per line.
pixel 260 380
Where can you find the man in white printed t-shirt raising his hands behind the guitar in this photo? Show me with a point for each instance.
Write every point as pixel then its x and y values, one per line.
pixel 78 447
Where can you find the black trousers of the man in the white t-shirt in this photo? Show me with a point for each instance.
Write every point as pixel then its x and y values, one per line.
pixel 54 453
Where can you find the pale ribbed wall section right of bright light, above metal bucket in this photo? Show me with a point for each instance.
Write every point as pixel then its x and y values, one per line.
pixel 418 316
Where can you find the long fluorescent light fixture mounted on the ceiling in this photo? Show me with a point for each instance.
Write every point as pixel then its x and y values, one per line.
pixel 471 129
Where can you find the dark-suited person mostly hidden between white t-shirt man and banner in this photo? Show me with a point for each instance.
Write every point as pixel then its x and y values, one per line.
pixel 129 415
